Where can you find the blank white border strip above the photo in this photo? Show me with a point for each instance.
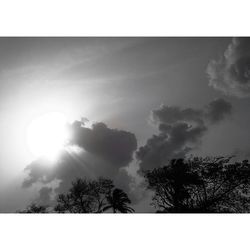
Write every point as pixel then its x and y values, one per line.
pixel 124 18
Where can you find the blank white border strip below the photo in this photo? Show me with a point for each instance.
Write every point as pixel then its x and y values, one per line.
pixel 123 232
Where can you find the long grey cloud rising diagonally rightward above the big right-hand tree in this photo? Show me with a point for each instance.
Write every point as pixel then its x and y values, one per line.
pixel 180 131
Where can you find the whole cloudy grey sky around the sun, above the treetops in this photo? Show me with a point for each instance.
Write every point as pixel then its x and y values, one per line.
pixel 143 102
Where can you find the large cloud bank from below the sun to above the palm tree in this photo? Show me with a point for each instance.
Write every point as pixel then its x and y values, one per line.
pixel 92 153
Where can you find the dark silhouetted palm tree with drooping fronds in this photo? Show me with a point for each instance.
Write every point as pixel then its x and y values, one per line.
pixel 118 200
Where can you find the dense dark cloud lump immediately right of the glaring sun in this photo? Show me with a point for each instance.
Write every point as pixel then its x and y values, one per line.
pixel 114 146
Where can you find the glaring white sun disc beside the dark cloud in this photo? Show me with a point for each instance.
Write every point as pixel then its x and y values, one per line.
pixel 46 135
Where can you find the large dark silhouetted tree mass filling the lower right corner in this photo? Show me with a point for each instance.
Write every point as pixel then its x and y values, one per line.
pixel 201 185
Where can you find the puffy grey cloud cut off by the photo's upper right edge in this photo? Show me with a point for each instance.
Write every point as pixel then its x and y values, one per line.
pixel 231 73
